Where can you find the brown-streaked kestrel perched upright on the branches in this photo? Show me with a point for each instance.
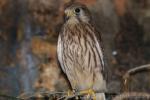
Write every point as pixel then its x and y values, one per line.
pixel 79 51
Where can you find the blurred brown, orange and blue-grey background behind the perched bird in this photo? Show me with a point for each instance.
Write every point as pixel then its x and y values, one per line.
pixel 28 39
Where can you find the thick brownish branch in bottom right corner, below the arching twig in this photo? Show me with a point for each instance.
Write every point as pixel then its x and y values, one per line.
pixel 132 95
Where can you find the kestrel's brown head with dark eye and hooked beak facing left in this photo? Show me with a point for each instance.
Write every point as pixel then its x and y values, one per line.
pixel 76 12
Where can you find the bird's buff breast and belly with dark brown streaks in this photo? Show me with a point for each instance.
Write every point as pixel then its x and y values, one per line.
pixel 81 58
